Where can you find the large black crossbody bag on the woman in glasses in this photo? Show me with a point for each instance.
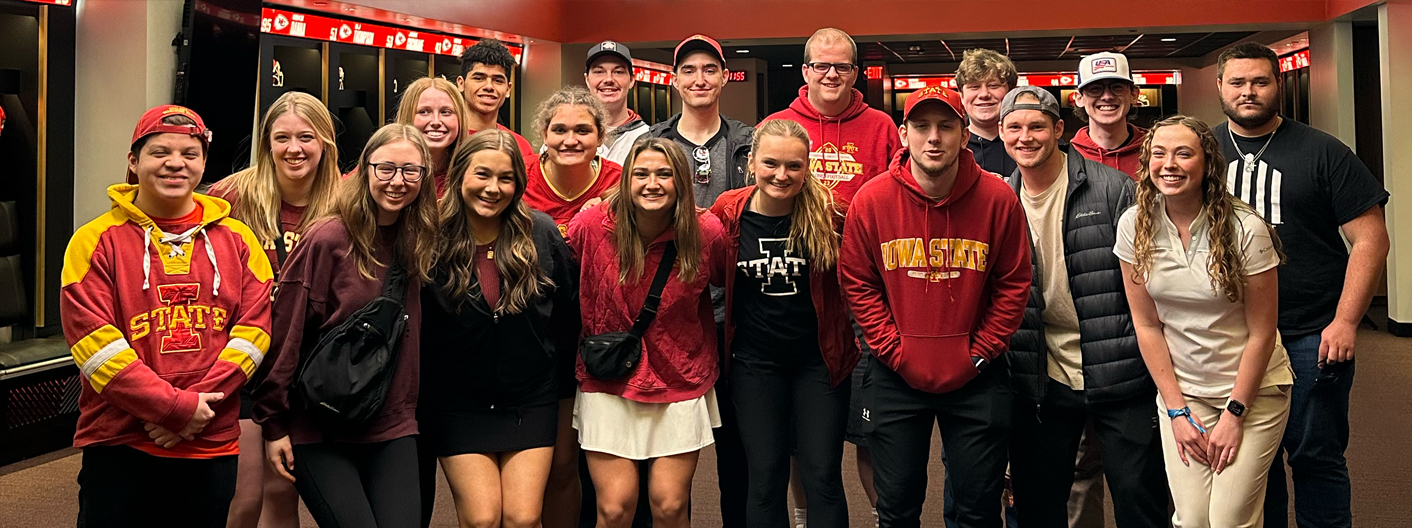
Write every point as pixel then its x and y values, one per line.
pixel 347 376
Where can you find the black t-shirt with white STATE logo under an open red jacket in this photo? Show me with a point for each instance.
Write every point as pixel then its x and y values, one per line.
pixel 773 307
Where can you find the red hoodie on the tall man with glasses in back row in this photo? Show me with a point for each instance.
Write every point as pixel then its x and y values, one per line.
pixel 849 149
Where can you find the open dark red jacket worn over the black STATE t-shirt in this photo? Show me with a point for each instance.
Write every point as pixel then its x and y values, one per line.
pixel 841 351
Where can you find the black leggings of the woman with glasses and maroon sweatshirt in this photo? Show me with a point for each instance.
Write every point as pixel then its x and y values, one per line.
pixel 361 485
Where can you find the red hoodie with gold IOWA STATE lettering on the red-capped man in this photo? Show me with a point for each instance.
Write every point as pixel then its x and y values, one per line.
pixel 937 286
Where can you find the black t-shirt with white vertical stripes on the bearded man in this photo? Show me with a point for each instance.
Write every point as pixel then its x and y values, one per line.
pixel 1307 184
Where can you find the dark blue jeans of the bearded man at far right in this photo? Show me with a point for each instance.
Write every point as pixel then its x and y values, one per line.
pixel 1315 443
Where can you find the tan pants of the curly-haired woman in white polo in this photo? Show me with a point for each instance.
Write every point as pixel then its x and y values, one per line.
pixel 1236 498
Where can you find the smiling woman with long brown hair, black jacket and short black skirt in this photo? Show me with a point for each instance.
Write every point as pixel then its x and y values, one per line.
pixel 499 313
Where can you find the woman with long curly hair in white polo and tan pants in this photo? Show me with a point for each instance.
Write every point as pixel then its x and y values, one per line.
pixel 1201 273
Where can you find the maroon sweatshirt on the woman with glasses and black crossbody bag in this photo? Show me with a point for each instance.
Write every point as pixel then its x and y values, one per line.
pixel 321 287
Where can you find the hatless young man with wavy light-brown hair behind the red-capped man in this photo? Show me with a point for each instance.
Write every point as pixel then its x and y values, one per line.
pixel 983 78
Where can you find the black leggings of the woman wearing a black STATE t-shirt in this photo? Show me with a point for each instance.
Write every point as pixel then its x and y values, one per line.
pixel 783 410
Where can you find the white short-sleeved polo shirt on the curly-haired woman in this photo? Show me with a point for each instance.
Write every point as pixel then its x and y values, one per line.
pixel 1205 332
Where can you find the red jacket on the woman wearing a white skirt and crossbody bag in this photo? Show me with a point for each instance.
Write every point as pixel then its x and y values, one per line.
pixel 680 348
